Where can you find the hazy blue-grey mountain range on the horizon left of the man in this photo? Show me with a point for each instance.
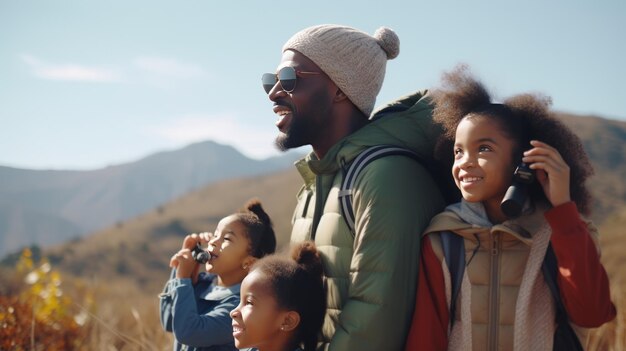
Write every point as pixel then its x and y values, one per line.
pixel 48 207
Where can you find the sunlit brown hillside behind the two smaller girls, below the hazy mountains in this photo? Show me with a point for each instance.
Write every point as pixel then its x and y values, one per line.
pixel 139 249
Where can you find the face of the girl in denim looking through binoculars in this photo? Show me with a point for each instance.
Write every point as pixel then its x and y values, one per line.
pixel 229 247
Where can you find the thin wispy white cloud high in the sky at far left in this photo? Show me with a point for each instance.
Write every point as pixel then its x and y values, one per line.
pixel 70 72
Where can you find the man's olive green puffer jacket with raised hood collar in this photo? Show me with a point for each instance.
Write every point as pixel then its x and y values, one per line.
pixel 371 276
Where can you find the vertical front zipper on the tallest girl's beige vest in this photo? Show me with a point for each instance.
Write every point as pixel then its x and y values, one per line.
pixel 494 293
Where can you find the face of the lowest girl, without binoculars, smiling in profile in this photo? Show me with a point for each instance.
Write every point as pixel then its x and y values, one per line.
pixel 257 321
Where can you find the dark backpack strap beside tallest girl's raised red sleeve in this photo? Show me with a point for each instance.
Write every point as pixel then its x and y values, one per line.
pixel 565 337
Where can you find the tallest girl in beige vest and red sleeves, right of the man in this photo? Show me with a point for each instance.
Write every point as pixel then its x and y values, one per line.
pixel 504 303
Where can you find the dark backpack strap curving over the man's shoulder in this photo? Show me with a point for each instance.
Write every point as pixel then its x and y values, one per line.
pixel 360 162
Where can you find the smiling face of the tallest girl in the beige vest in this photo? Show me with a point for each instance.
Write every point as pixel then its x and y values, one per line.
pixel 483 165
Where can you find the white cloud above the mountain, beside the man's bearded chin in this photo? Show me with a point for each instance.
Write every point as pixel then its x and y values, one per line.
pixel 225 129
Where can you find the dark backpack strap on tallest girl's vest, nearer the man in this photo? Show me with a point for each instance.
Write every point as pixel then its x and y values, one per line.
pixel 454 254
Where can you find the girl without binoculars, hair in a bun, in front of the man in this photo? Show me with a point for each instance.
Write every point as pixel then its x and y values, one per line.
pixel 282 303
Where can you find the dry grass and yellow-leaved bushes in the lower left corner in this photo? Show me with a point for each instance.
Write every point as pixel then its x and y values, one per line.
pixel 42 310
